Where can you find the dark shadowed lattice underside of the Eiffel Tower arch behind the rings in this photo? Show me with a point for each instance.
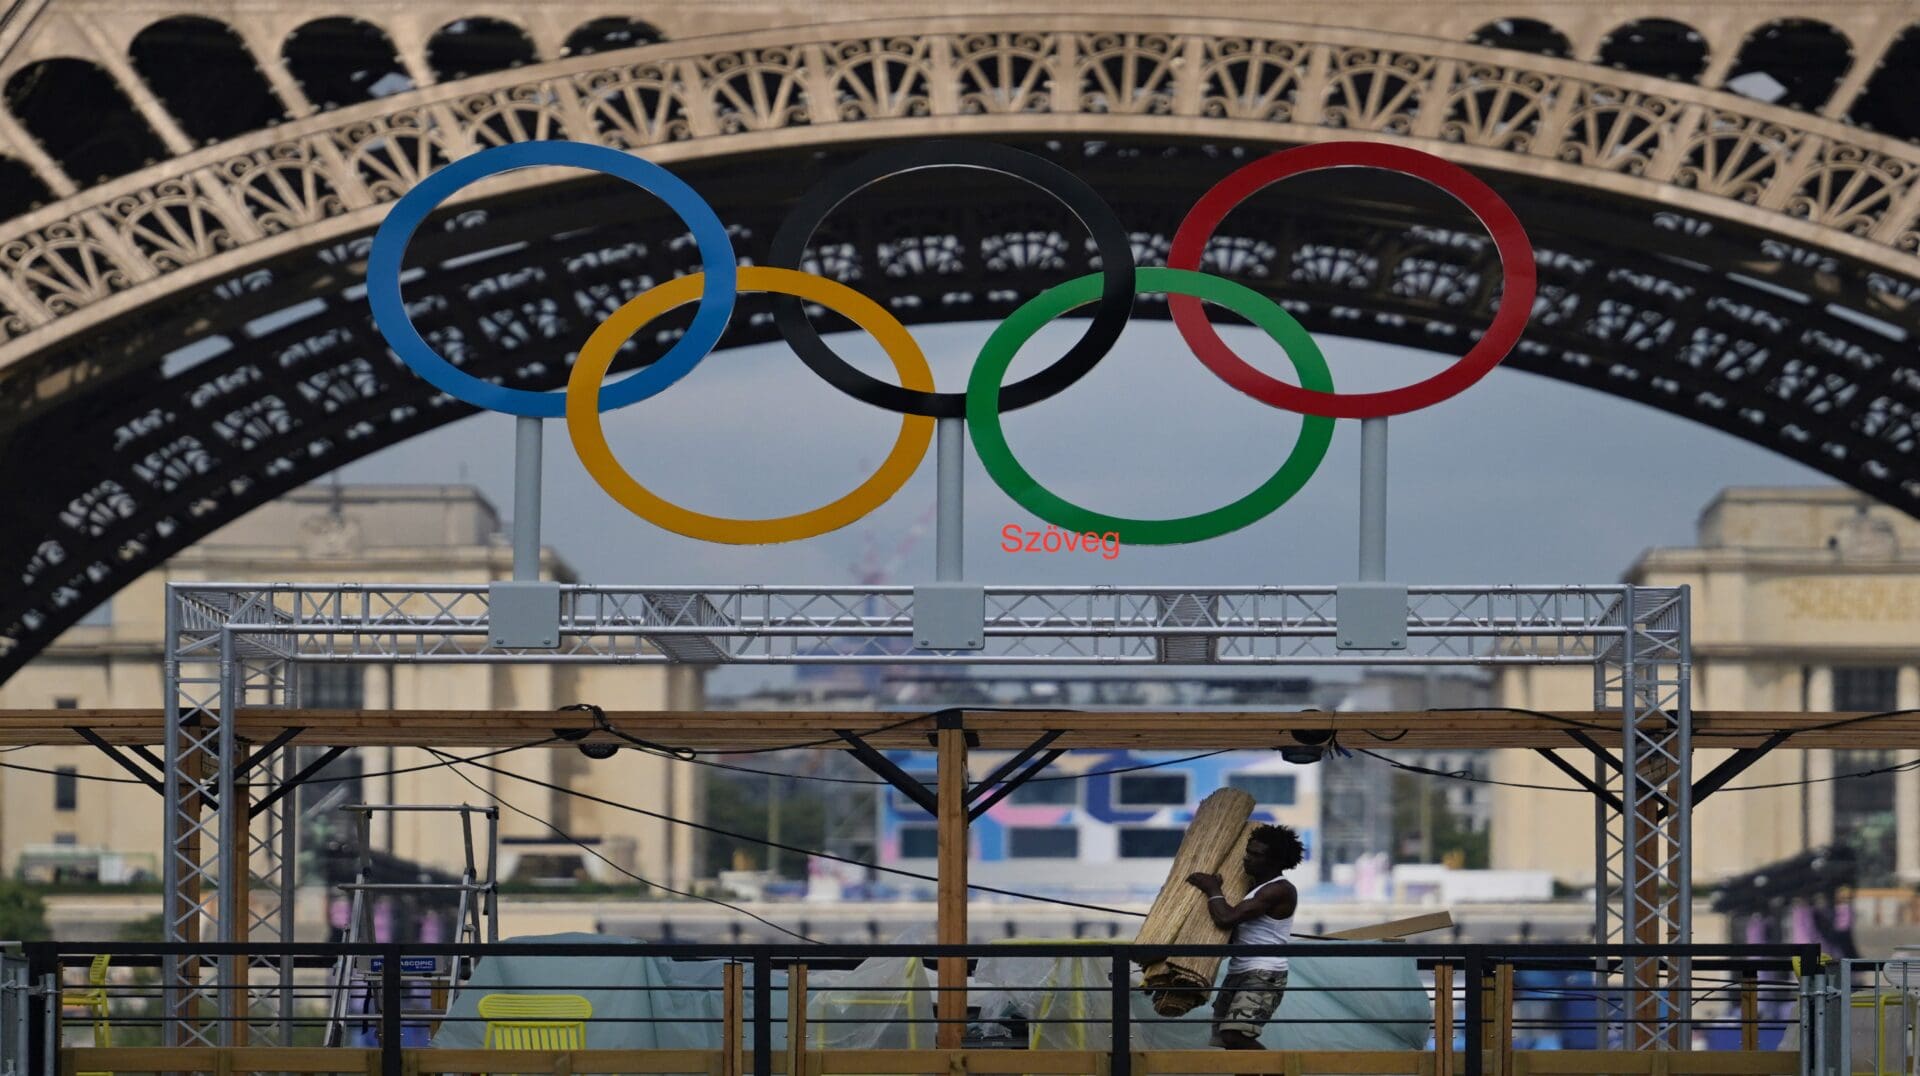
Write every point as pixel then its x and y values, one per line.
pixel 1794 353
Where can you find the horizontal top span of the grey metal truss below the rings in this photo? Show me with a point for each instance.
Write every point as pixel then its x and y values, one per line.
pixel 1026 625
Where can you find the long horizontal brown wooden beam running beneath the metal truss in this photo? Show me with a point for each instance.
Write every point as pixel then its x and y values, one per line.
pixel 997 731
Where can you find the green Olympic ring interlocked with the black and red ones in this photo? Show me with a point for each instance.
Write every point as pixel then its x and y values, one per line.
pixel 984 416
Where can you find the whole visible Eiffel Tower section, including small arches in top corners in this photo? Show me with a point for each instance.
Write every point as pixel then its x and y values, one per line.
pixel 1744 264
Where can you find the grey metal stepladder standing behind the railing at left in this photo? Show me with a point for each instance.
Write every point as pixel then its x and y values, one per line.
pixel 427 983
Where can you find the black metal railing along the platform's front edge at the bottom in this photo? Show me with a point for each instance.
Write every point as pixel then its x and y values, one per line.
pixel 1479 1010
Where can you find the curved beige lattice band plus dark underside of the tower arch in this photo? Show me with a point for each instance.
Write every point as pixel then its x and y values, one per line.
pixel 1733 262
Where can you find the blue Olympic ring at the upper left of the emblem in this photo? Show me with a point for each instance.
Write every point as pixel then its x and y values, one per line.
pixel 391 247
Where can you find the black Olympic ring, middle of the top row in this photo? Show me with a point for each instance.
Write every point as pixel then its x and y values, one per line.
pixel 1109 235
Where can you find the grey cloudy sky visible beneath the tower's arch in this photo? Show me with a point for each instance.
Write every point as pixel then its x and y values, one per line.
pixel 1520 479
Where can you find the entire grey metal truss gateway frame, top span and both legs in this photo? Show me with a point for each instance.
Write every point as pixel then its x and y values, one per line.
pixel 239 647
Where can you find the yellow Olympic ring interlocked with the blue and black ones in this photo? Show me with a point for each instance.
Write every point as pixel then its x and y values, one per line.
pixel 590 441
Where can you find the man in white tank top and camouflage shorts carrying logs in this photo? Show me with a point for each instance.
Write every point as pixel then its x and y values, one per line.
pixel 1264 917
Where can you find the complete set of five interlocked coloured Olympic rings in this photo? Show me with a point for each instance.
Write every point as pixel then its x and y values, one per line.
pixel 1113 289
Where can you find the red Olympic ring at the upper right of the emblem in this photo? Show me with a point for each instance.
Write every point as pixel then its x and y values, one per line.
pixel 1510 241
